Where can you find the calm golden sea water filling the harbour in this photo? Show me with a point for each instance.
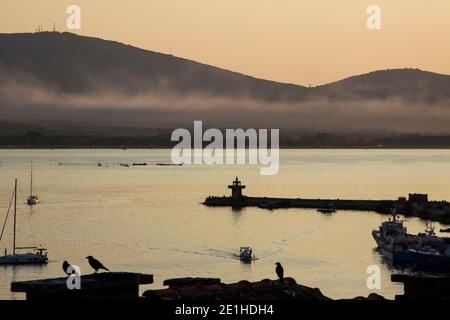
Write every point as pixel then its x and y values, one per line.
pixel 150 220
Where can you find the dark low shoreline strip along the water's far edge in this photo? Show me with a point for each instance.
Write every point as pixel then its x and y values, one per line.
pixel 16 136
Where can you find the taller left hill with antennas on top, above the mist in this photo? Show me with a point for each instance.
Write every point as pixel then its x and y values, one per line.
pixel 73 64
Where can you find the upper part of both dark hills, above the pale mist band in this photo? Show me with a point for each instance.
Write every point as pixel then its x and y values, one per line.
pixel 72 63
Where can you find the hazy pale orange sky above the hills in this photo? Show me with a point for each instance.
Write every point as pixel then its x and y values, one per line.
pixel 304 42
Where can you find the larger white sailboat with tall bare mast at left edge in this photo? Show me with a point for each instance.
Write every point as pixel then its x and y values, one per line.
pixel 39 254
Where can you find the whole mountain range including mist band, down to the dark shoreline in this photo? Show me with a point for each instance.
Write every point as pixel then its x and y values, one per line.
pixel 62 76
